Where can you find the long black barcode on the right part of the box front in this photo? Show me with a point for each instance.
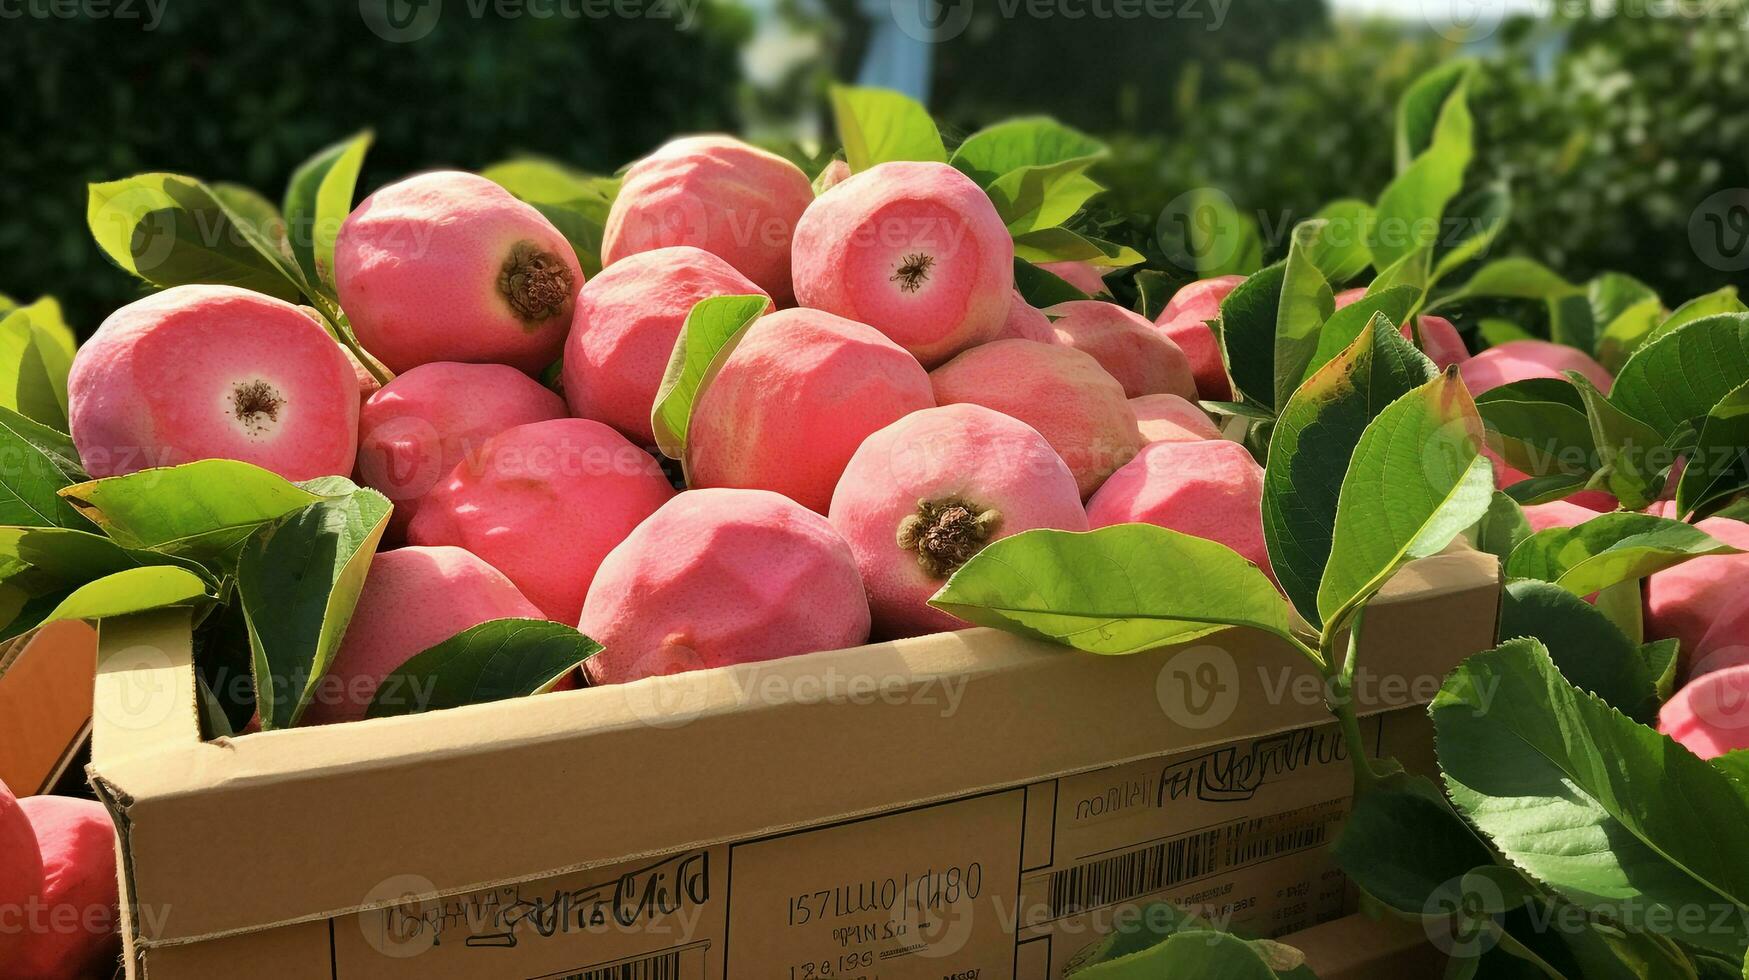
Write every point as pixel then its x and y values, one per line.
pixel 1190 857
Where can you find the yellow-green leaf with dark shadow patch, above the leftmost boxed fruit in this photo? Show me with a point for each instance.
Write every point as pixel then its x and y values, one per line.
pixel 172 230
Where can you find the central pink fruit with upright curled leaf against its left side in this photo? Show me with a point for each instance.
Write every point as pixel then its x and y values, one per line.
pixel 795 400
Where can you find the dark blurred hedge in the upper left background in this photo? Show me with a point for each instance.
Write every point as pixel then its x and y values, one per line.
pixel 247 92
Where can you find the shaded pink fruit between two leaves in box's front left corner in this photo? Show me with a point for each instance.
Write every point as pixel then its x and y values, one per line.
pixel 412 601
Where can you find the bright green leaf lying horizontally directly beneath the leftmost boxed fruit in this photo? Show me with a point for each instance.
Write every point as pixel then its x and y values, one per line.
pixel 200 510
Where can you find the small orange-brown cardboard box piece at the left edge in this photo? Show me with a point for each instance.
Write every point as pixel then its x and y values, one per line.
pixel 45 704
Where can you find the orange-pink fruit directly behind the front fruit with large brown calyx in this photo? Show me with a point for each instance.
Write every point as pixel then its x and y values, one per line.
pixel 1059 391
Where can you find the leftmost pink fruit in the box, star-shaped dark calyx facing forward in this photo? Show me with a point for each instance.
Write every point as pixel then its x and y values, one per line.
pixel 214 372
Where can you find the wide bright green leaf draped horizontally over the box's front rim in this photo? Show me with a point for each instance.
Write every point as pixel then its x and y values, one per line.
pixel 1117 591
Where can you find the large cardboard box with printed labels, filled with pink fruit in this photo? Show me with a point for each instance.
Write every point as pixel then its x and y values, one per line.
pixel 956 806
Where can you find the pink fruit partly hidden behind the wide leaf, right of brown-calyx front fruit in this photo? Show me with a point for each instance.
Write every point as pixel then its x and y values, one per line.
pixel 1209 489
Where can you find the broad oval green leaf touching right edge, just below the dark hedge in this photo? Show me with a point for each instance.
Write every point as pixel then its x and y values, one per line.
pixel 1678 379
